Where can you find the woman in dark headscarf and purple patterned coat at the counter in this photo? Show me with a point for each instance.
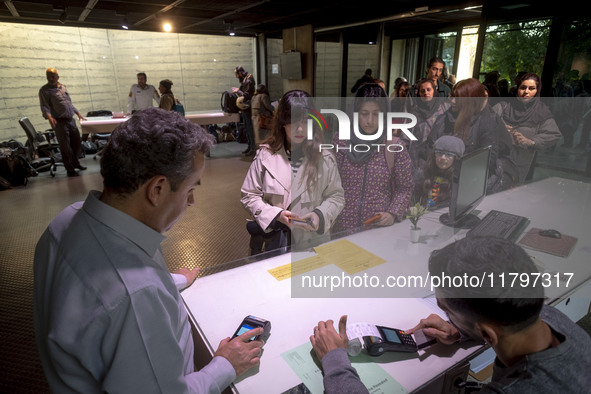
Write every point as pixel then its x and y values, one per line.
pixel 377 181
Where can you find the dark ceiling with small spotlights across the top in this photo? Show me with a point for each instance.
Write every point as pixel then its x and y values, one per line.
pixel 248 17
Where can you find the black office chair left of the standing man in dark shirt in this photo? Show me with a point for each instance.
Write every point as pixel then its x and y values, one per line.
pixel 43 153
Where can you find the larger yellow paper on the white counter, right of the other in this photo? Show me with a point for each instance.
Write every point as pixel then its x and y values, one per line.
pixel 348 256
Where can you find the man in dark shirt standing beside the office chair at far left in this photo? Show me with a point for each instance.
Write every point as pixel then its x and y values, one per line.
pixel 57 108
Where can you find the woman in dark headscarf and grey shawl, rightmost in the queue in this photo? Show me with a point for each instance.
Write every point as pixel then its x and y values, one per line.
pixel 530 123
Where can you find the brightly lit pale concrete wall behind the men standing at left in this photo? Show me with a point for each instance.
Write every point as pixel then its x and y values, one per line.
pixel 98 66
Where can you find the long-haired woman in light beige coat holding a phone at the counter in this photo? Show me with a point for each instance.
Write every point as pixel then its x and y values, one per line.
pixel 290 178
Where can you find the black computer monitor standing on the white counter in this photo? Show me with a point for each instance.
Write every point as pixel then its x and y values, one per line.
pixel 468 189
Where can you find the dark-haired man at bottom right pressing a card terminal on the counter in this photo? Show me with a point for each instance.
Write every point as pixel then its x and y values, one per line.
pixel 539 349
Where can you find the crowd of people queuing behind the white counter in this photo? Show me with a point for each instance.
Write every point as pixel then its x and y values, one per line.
pixel 377 183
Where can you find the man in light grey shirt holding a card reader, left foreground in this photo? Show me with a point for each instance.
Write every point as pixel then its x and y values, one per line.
pixel 108 316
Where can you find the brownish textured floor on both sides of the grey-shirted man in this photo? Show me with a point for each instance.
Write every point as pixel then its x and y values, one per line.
pixel 211 234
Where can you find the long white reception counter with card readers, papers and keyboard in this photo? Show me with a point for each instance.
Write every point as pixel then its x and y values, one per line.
pixel 217 303
